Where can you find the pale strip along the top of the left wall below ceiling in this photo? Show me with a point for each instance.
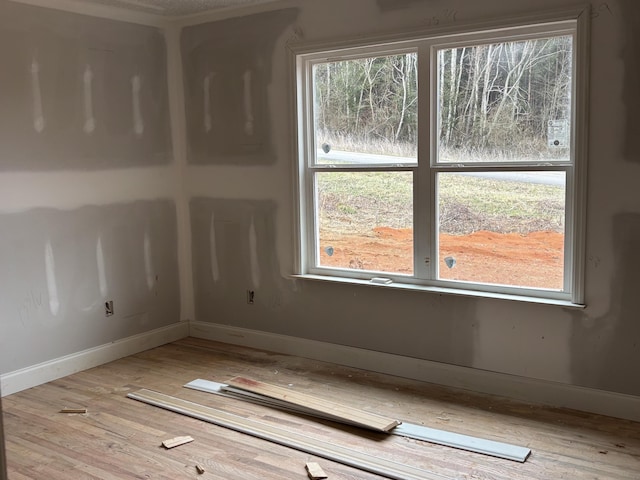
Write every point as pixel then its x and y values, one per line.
pixel 101 11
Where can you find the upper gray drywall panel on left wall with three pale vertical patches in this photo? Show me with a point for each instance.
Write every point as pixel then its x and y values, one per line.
pixel 78 92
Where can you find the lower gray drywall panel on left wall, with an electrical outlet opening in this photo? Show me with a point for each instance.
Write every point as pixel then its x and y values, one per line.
pixel 60 267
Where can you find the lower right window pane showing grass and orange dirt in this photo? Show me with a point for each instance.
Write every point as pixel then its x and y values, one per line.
pixel 502 228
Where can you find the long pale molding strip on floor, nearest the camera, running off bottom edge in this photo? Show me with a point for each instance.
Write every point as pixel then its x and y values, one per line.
pixel 330 451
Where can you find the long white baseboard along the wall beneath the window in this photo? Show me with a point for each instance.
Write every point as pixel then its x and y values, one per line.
pixel 511 386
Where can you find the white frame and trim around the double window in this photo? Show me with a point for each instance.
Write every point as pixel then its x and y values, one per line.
pixel 520 27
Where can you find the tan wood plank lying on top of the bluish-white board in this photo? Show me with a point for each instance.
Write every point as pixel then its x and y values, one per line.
pixel 352 415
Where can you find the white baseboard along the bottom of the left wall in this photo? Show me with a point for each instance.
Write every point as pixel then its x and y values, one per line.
pixel 32 376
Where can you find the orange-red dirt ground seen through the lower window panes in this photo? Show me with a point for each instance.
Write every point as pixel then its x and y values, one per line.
pixel 533 260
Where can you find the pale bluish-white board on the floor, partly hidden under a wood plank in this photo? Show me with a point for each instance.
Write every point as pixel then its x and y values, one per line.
pixel 410 430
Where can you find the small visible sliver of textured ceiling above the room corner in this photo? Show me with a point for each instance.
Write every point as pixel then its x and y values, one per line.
pixel 174 8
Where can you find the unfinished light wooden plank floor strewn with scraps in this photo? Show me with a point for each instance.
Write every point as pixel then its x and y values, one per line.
pixel 119 438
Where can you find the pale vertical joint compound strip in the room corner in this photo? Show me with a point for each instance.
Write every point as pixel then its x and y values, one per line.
pixel 180 167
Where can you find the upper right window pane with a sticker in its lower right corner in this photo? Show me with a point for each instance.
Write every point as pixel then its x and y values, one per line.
pixel 505 101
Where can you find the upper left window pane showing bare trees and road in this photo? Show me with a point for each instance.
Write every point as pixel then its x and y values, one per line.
pixel 366 110
